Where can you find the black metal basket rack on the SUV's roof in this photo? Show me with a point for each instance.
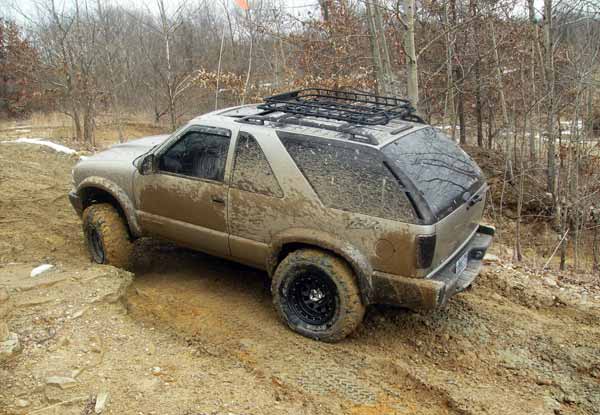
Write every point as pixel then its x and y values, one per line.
pixel 353 107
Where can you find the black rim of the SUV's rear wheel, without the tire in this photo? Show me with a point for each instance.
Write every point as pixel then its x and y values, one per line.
pixel 313 297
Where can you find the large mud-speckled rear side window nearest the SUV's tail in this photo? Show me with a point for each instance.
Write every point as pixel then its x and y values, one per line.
pixel 351 178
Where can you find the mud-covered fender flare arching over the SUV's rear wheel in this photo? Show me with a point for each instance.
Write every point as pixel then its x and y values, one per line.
pixel 328 242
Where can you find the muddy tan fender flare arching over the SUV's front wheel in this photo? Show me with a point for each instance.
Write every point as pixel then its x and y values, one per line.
pixel 99 190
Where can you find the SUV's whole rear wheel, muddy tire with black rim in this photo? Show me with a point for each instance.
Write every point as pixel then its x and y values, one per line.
pixel 316 295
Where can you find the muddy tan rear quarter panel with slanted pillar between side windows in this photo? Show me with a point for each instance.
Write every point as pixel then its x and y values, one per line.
pixel 387 245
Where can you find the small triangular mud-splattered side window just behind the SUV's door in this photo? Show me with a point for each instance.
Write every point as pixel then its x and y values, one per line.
pixel 251 170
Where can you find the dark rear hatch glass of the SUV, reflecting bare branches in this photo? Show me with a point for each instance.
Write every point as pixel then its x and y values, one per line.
pixel 439 168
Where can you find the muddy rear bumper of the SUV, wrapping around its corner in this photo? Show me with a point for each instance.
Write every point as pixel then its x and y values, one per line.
pixel 433 292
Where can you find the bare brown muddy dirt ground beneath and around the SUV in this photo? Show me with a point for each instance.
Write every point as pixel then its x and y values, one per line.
pixel 189 334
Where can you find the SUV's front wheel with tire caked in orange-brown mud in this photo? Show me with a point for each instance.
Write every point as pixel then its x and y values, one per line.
pixel 111 233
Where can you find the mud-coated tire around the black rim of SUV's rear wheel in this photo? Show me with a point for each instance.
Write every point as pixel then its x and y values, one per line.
pixel 349 311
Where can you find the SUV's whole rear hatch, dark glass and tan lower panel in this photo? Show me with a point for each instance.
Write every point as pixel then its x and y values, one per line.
pixel 448 180
